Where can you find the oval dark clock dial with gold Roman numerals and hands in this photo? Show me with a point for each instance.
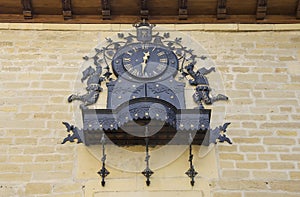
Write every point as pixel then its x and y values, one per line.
pixel 144 61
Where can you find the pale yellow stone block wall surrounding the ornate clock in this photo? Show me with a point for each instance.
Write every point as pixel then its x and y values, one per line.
pixel 260 67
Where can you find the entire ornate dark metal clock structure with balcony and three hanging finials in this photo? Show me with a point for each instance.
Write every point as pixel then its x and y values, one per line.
pixel 144 74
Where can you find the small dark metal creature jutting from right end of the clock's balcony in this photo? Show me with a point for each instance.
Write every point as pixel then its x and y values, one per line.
pixel 218 134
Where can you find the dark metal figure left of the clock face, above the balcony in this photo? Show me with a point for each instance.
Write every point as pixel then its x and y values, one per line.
pixel 93 88
